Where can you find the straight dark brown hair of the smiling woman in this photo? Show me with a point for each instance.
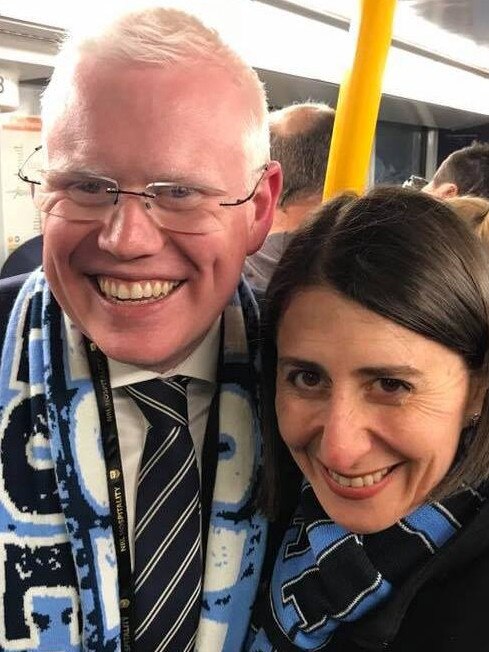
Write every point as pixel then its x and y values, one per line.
pixel 407 257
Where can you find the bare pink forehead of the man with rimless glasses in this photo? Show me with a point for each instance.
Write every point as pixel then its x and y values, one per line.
pixel 151 121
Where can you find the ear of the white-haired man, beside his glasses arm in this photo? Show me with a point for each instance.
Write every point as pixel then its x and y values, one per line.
pixel 264 203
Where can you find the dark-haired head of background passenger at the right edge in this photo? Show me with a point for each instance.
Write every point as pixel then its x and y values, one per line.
pixel 464 172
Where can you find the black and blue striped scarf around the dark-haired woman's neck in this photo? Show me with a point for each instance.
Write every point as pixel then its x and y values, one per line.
pixel 325 576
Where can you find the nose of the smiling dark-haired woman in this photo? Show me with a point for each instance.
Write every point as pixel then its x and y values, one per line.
pixel 348 432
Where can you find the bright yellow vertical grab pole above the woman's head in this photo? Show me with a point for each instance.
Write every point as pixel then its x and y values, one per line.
pixel 359 99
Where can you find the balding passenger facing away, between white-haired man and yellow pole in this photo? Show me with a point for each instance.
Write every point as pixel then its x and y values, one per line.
pixel 300 138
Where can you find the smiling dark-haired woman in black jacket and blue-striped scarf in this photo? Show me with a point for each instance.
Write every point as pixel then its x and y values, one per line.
pixel 375 360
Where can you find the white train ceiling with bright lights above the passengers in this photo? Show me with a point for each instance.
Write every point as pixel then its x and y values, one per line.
pixel 442 40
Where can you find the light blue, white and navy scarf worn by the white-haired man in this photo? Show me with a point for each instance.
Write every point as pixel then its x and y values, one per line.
pixel 58 572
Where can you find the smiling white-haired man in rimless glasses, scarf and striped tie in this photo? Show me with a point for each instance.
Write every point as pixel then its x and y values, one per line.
pixel 155 183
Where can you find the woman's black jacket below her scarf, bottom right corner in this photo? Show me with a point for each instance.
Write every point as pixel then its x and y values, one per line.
pixel 444 607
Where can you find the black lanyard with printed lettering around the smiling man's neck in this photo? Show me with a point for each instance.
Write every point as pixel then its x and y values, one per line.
pixel 115 481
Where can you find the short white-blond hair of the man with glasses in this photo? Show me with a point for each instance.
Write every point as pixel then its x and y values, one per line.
pixel 159 36
